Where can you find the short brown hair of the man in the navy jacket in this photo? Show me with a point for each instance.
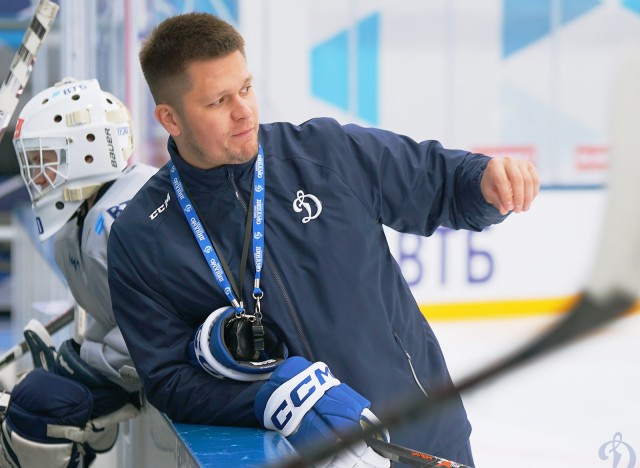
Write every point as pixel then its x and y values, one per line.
pixel 176 43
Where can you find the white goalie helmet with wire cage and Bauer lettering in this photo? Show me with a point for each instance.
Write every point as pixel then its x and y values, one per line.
pixel 70 140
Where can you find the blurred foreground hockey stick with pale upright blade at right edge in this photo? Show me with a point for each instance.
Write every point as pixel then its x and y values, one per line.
pixel 611 291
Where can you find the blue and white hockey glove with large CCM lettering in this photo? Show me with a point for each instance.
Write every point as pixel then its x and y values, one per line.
pixel 306 403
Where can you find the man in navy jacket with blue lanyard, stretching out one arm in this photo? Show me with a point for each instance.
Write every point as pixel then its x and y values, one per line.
pixel 323 283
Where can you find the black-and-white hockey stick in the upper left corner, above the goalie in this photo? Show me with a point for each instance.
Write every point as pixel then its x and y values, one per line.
pixel 24 59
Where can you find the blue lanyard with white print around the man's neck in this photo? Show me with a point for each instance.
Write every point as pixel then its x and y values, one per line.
pixel 206 246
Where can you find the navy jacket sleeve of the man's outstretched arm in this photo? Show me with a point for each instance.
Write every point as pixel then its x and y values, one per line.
pixel 412 187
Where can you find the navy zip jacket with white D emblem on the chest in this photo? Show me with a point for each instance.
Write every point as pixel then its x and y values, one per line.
pixel 332 290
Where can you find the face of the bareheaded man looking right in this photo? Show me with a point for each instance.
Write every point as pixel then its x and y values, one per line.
pixel 218 122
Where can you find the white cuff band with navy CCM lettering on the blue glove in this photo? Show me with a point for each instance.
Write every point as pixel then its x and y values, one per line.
pixel 293 399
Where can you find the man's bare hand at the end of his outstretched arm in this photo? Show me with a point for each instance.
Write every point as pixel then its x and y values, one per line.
pixel 510 184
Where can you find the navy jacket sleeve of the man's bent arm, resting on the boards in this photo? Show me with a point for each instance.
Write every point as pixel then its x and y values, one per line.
pixel 156 336
